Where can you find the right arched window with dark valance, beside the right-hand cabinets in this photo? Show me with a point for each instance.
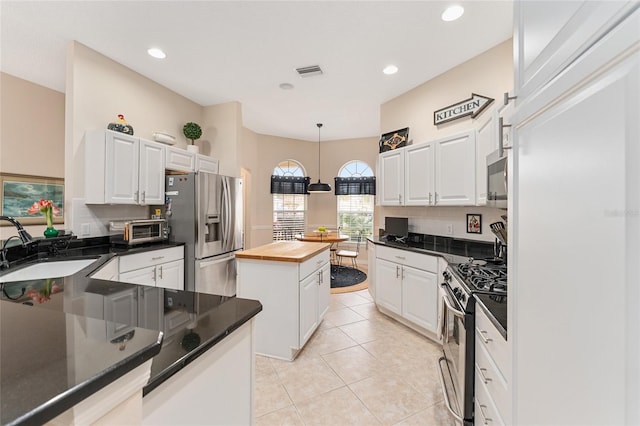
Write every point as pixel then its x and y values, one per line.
pixel 355 211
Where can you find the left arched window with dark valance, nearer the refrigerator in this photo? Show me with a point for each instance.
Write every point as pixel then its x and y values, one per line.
pixel 289 203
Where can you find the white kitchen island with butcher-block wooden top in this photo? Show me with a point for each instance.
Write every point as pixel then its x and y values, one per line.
pixel 292 280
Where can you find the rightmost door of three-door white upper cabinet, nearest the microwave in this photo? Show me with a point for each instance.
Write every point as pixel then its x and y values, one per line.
pixel 456 170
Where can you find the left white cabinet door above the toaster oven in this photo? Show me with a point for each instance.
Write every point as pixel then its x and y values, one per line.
pixel 121 169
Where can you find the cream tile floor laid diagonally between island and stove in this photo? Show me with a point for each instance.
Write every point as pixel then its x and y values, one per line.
pixel 359 368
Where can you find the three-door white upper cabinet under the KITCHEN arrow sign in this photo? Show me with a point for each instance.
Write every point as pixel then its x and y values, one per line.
pixel 441 172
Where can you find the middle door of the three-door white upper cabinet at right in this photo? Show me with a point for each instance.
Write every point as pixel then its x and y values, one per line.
pixel 419 175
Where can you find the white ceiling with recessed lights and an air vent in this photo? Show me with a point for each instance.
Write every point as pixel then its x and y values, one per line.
pixel 221 51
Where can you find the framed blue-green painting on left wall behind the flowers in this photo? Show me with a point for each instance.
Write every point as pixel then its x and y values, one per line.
pixel 19 192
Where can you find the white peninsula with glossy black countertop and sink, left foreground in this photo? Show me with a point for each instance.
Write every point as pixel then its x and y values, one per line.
pixel 59 349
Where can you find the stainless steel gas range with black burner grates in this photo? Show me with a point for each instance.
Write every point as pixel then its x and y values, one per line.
pixel 463 284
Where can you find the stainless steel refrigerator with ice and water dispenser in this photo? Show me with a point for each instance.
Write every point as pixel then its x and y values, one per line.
pixel 204 211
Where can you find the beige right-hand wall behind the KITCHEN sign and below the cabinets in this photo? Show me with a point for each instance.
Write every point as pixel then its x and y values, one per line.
pixel 488 74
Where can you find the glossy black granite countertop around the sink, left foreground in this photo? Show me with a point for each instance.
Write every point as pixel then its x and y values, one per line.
pixel 38 378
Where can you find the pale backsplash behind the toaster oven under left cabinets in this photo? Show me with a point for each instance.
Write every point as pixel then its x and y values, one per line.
pixel 93 220
